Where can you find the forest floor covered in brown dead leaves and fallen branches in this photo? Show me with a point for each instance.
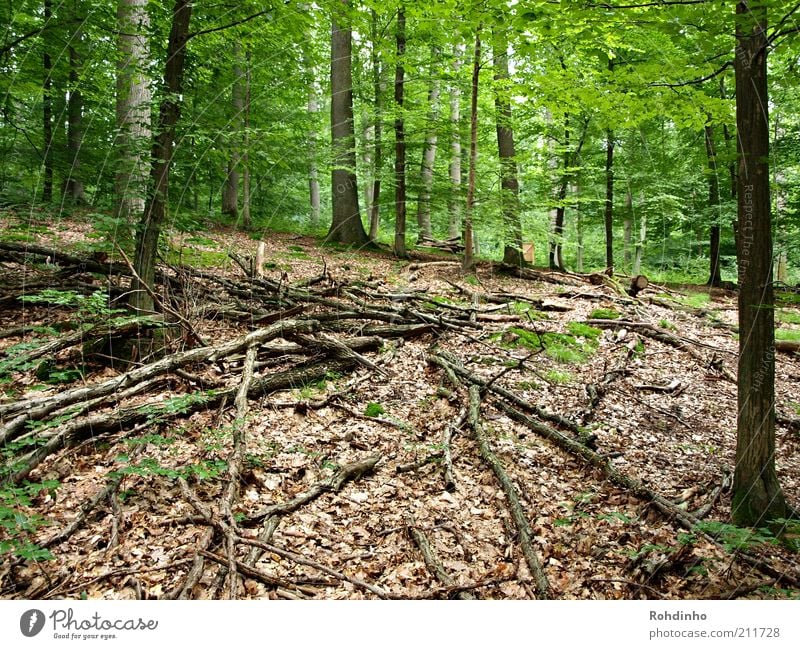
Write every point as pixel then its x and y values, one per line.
pixel 334 453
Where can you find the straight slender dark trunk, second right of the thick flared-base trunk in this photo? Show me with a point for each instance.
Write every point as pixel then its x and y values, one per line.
pixel 400 140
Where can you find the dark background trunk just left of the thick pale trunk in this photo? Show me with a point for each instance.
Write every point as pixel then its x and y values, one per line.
pixel 73 184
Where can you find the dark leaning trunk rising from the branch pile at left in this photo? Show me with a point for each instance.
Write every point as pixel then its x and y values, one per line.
pixel 155 210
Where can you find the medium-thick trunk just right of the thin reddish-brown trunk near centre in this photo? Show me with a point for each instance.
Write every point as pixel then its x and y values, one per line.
pixel 512 224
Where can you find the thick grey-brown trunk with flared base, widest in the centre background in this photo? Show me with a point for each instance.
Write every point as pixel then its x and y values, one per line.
pixel 346 226
